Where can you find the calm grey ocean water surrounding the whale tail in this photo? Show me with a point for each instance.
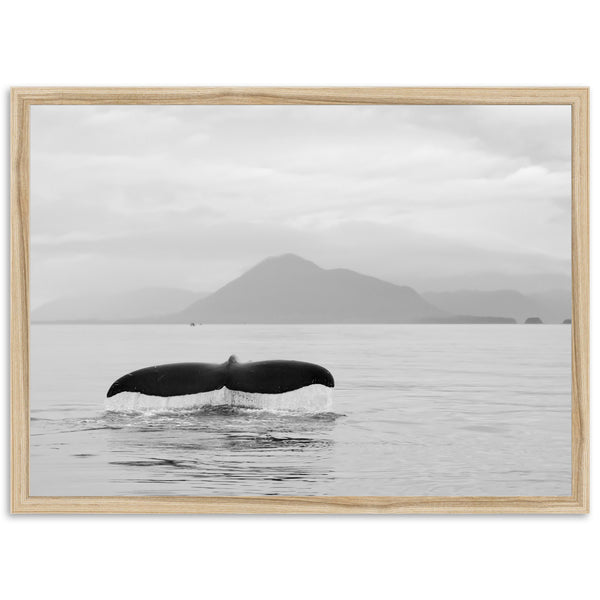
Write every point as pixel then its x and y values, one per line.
pixel 417 410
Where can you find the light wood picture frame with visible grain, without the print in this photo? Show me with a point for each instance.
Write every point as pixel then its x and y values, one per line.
pixel 21 500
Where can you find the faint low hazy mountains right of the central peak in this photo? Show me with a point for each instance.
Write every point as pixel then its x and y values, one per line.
pixel 552 306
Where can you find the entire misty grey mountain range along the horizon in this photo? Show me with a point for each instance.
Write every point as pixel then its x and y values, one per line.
pixel 290 289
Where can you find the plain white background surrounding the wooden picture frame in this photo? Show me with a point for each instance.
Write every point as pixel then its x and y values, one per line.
pixel 259 42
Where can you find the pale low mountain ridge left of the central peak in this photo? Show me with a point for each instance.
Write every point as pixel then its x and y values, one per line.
pixel 142 303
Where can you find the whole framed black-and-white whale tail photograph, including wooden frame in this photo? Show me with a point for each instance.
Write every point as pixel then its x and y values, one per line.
pixel 299 300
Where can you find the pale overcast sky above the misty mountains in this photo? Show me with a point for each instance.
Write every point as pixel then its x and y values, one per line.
pixel 437 197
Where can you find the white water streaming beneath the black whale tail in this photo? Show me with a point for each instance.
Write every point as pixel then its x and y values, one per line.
pixel 312 398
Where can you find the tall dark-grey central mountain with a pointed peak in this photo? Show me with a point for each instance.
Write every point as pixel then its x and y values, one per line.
pixel 290 289
